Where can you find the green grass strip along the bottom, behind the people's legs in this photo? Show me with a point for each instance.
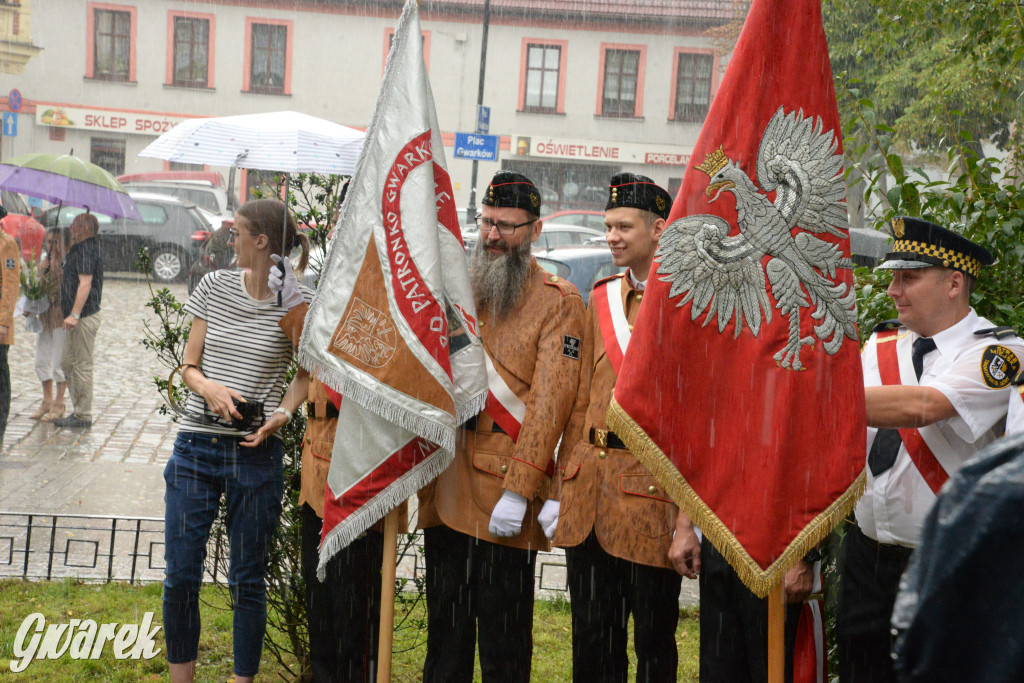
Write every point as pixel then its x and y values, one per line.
pixel 62 602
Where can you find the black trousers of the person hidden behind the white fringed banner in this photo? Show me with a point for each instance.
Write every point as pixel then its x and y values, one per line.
pixel 344 613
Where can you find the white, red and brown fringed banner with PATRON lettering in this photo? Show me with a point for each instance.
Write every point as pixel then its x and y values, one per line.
pixel 393 327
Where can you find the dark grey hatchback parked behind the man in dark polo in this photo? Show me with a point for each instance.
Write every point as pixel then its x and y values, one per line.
pixel 173 230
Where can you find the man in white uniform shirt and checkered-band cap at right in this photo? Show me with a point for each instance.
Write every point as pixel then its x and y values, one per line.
pixel 937 387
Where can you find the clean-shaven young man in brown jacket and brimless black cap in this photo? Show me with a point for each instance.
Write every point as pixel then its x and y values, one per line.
pixel 616 521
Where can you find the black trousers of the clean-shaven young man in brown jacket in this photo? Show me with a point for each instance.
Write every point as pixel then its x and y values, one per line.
pixel 606 590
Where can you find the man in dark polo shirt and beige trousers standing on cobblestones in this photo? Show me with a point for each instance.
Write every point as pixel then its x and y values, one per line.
pixel 81 291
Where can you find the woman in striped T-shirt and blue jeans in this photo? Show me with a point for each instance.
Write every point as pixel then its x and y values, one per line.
pixel 237 352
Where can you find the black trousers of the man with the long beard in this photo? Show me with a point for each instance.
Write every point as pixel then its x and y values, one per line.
pixel 476 587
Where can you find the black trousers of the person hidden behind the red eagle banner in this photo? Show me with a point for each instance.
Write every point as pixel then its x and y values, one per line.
pixel 735 626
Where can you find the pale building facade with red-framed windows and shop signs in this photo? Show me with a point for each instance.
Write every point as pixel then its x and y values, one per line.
pixel 577 90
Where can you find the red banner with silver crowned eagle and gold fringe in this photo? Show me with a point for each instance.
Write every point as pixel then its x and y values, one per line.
pixel 742 387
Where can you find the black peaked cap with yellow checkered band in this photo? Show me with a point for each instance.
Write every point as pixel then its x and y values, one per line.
pixel 920 244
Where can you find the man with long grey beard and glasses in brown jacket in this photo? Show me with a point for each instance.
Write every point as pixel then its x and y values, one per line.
pixel 484 518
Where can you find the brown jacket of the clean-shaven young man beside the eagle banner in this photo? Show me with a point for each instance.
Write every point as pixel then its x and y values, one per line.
pixel 608 490
